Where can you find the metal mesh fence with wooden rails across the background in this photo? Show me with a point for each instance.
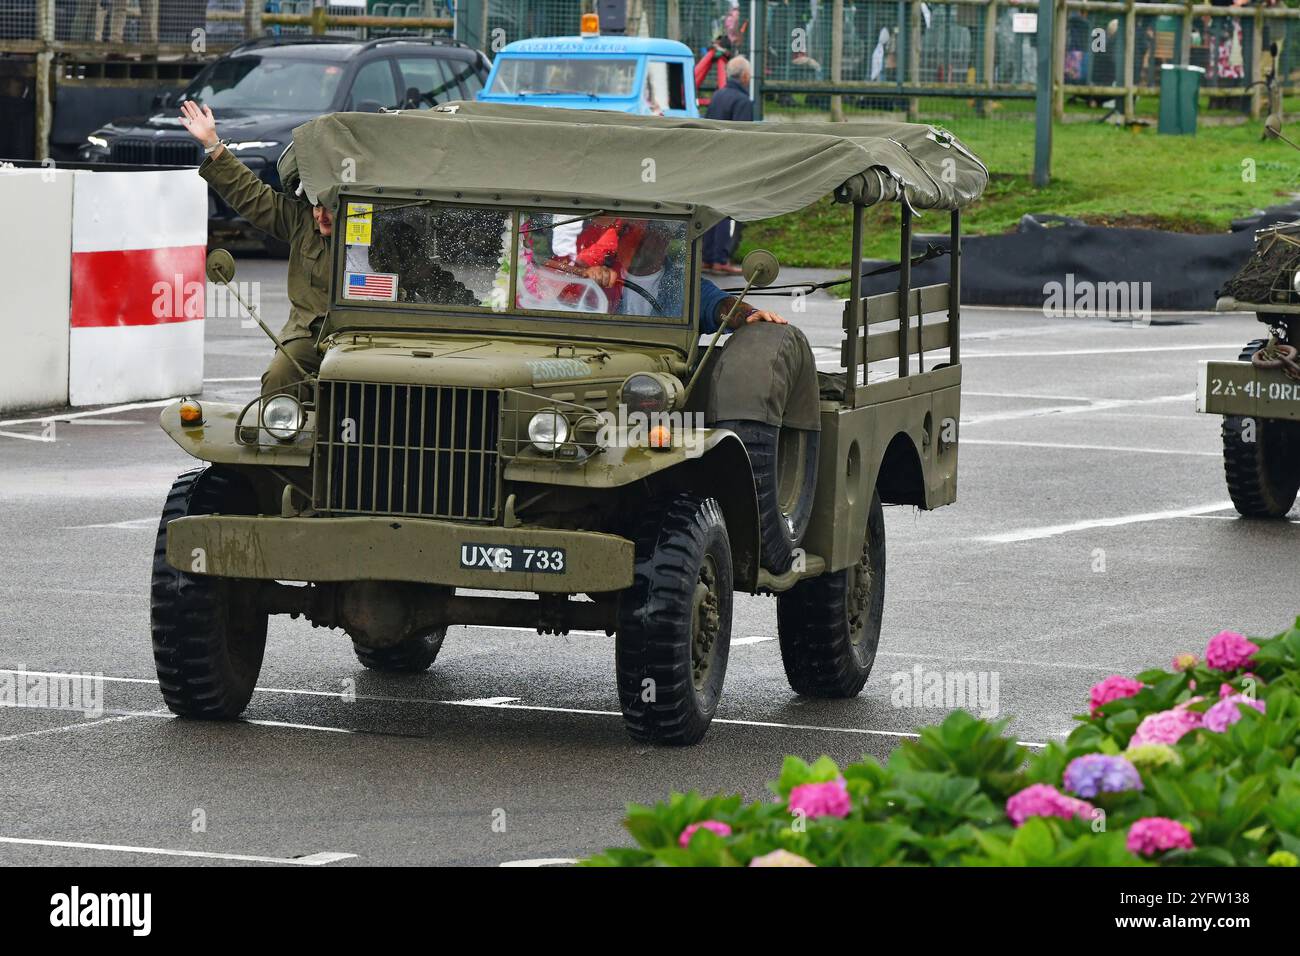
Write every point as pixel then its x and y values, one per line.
pixel 952 58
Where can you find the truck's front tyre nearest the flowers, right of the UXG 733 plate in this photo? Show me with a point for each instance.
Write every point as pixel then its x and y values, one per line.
pixel 675 622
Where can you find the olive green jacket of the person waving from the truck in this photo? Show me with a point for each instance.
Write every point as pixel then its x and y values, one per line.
pixel 289 220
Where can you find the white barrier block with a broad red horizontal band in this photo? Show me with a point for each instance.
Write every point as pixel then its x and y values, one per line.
pixel 138 246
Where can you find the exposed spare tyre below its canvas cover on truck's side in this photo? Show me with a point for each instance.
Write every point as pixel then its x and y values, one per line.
pixel 785 462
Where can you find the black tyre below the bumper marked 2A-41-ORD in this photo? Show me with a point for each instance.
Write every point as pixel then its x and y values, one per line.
pixel 1263 475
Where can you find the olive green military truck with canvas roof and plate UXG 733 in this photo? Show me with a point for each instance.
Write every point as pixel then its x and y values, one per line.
pixel 517 421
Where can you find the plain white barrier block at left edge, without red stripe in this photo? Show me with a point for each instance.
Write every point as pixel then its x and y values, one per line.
pixel 36 249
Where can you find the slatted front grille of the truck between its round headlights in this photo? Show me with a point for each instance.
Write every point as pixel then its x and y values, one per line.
pixel 419 451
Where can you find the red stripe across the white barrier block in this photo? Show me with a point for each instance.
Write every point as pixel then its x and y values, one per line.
pixel 138 287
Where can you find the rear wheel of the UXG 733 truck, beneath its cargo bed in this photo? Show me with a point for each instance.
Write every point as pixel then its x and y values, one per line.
pixel 830 625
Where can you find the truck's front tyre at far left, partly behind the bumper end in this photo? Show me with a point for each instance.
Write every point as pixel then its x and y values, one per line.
pixel 209 637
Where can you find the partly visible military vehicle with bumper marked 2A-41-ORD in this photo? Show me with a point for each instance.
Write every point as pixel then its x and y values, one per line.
pixel 1259 395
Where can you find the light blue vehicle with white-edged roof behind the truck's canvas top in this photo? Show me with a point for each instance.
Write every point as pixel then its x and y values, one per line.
pixel 627 75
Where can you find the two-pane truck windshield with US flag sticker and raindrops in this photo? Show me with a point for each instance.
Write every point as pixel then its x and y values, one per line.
pixel 502 261
